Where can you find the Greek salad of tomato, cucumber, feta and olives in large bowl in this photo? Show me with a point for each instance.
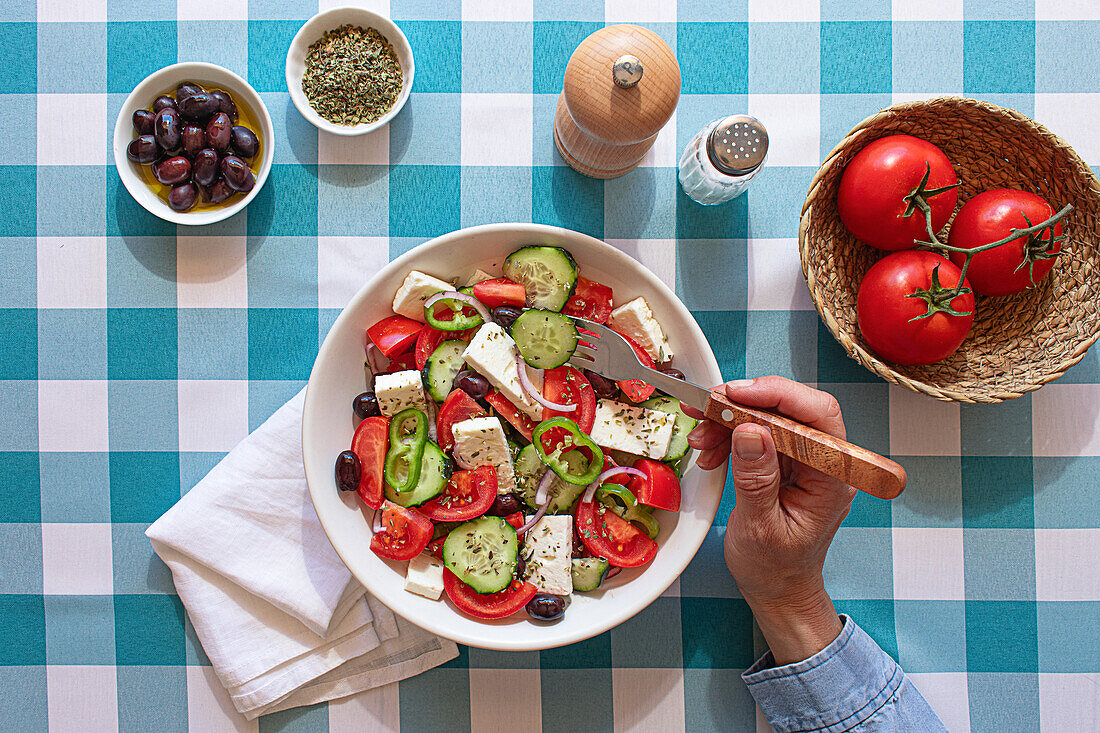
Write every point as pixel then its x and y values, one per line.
pixel 505 476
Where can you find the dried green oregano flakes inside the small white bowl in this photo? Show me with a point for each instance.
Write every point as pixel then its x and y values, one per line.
pixel 353 75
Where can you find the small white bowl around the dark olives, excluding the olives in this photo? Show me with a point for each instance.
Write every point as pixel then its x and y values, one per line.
pixel 210 76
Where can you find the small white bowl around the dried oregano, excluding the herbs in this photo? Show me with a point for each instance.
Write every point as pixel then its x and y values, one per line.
pixel 329 20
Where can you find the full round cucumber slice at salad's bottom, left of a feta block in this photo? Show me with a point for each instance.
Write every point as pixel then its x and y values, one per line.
pixel 482 554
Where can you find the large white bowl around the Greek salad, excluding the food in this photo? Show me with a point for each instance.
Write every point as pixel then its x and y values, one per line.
pixel 328 425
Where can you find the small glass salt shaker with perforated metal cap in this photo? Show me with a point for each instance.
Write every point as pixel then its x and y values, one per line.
pixel 721 161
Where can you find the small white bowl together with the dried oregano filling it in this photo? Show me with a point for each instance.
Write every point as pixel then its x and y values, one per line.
pixel 349 71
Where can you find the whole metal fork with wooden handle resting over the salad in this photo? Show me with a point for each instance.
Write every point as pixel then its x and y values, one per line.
pixel 609 355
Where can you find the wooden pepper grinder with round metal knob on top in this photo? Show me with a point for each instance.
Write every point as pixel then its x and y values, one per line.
pixel 622 86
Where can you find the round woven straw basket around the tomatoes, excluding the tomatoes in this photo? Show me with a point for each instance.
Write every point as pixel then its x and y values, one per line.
pixel 1019 343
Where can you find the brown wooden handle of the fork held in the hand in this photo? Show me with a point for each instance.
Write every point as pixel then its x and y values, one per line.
pixel 857 467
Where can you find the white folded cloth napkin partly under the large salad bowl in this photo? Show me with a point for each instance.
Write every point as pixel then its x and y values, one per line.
pixel 278 612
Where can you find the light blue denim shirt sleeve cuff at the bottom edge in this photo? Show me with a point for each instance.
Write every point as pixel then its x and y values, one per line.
pixel 852 685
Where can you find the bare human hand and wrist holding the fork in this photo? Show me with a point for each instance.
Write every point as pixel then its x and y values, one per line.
pixel 785 518
